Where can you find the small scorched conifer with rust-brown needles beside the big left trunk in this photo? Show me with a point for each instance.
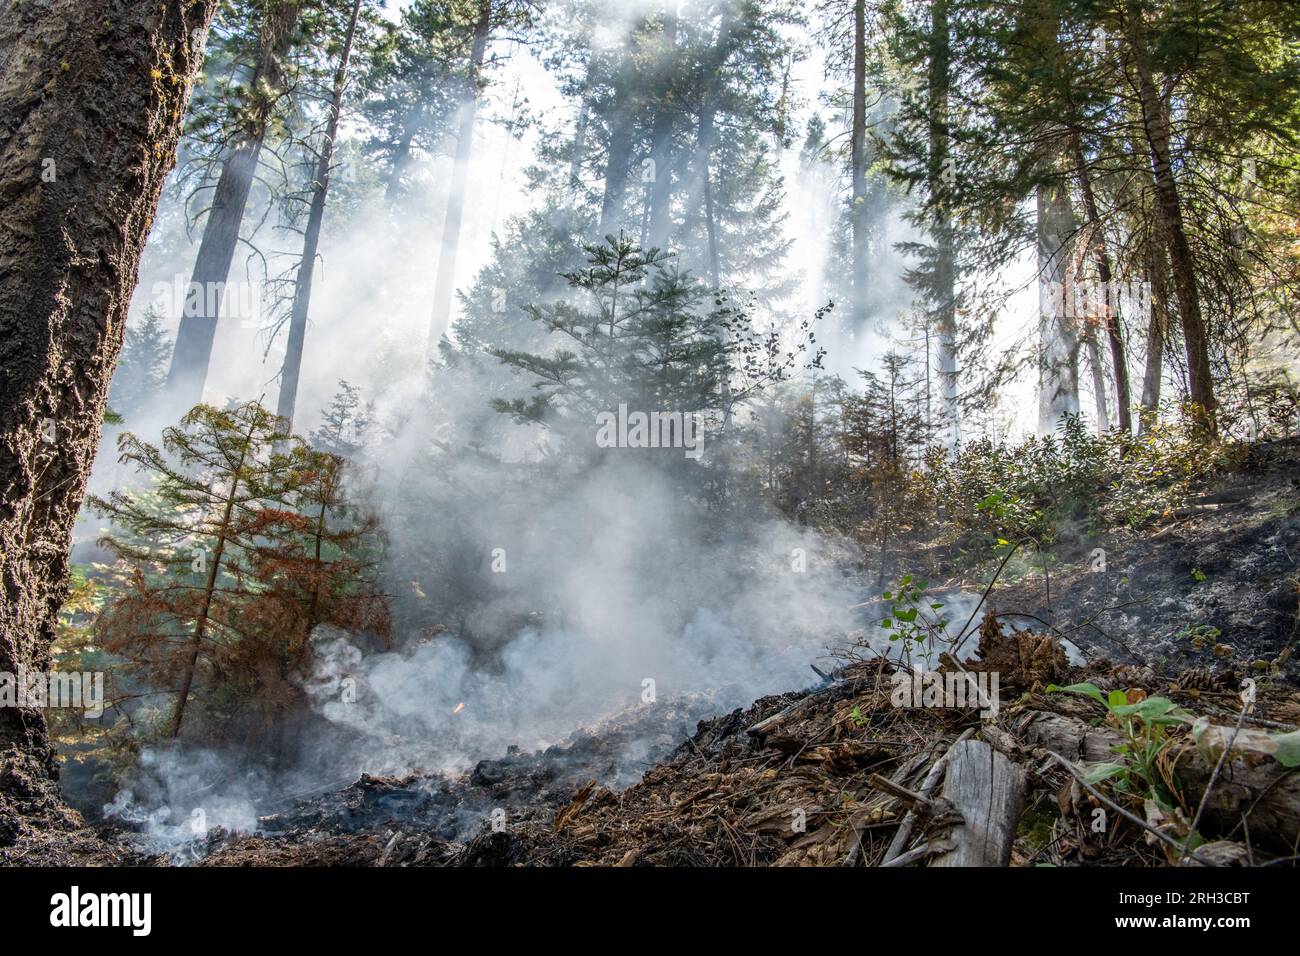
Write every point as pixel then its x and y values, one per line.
pixel 228 553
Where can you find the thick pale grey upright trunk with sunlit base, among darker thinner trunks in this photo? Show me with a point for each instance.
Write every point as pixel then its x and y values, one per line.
pixel 1059 335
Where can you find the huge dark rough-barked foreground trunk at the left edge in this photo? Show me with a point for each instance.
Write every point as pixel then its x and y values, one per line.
pixel 90 114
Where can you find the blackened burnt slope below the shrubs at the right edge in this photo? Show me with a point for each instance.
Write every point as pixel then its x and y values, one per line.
pixel 1217 589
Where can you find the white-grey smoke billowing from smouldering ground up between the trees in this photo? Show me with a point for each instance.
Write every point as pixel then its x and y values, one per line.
pixel 531 600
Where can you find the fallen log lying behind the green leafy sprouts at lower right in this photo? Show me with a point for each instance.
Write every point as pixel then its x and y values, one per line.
pixel 1251 786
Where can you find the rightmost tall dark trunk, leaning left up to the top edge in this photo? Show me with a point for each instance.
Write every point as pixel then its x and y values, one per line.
pixel 1156 128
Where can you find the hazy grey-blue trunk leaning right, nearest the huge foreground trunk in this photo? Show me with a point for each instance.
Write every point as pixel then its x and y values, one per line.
pixel 198 328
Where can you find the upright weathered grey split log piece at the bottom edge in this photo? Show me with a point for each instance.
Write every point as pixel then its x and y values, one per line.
pixel 989 791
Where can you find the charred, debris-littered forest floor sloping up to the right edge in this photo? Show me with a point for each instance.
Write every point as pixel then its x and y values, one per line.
pixel 1185 612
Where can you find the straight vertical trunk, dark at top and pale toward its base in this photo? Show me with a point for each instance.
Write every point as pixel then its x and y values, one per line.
pixel 946 266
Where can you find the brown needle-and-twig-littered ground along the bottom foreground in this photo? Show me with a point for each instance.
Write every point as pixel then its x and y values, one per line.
pixel 799 793
